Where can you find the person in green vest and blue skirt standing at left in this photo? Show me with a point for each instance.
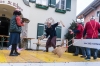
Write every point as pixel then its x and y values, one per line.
pixel 15 30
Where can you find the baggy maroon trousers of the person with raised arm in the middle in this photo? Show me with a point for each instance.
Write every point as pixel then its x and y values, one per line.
pixel 51 42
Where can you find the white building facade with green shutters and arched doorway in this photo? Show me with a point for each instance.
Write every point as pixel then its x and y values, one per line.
pixel 38 12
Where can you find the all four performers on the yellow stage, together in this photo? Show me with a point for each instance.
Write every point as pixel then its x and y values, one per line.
pixel 90 31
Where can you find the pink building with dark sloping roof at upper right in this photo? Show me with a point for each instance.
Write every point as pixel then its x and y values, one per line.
pixel 91 10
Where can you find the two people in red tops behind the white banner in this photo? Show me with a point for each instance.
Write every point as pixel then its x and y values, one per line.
pixel 90 31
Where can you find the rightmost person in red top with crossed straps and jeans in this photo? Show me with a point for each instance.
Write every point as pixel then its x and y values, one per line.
pixel 91 30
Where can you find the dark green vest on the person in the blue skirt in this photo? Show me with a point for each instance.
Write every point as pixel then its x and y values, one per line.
pixel 13 25
